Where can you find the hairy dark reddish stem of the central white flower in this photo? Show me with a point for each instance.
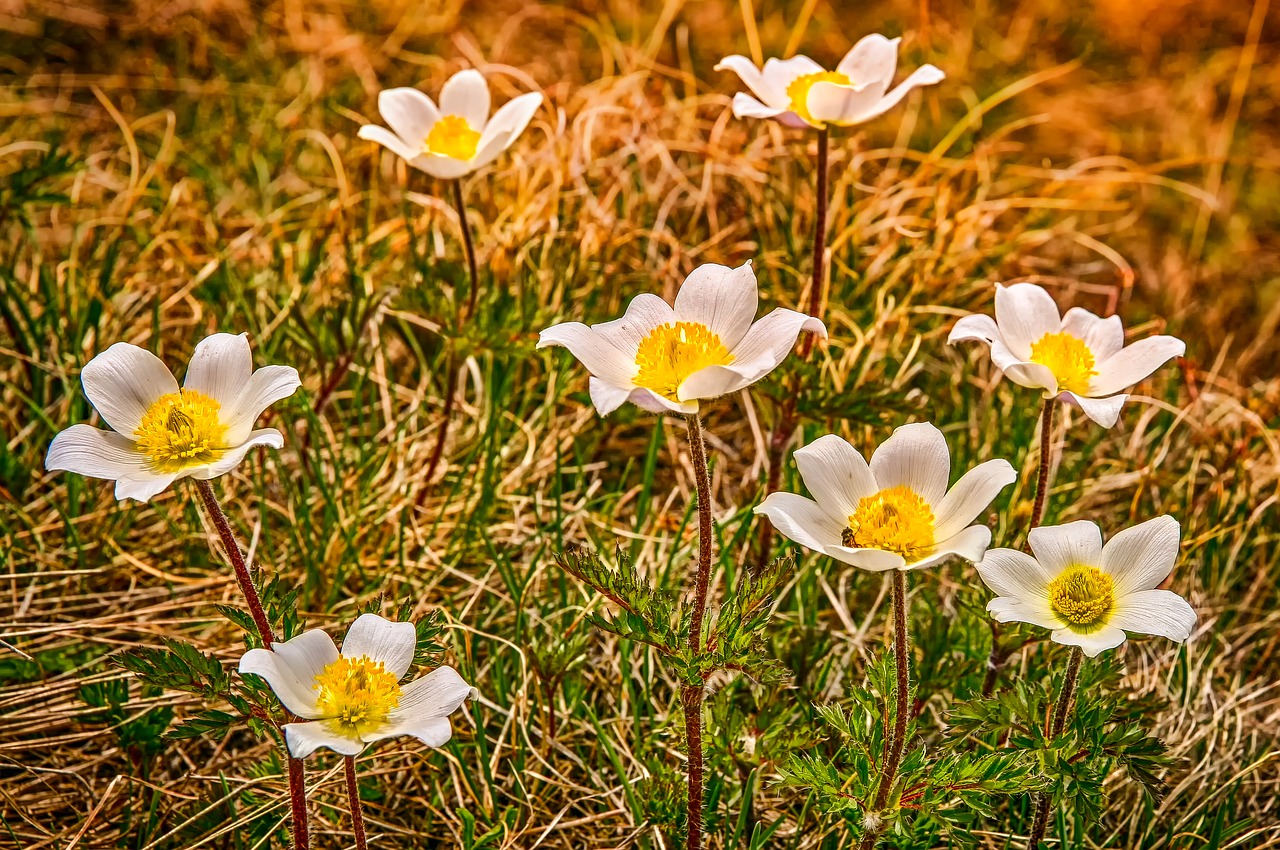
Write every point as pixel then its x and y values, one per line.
pixel 692 696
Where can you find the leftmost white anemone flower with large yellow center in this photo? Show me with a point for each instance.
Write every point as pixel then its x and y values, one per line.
pixel 163 433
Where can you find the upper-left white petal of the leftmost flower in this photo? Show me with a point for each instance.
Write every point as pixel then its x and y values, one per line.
pixel 124 382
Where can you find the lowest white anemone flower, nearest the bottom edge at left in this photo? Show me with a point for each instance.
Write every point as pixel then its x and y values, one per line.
pixel 355 698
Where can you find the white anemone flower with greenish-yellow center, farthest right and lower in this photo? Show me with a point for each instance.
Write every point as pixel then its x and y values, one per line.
pixel 1091 595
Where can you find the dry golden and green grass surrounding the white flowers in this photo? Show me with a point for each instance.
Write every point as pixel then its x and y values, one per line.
pixel 1128 158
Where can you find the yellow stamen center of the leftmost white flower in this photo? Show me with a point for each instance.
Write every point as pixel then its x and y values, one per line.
pixel 181 431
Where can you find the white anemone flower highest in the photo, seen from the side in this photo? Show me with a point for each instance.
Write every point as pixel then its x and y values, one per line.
pixel 798 93
